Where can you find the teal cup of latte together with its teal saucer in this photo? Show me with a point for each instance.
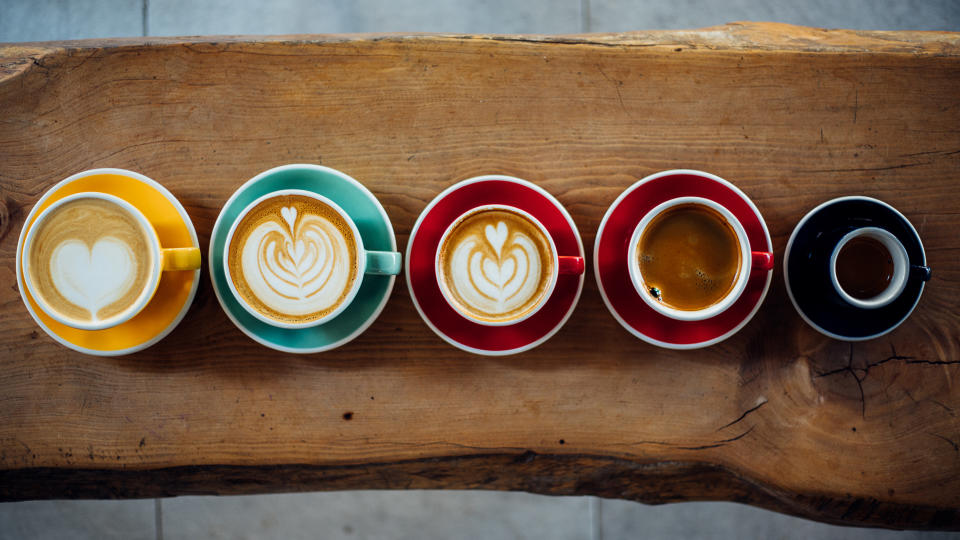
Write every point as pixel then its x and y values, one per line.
pixel 303 258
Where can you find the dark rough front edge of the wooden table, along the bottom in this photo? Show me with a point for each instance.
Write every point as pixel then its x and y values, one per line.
pixel 659 482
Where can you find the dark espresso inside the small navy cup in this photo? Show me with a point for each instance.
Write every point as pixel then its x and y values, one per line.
pixel 864 267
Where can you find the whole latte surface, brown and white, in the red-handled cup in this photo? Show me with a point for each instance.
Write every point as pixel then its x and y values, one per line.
pixel 496 265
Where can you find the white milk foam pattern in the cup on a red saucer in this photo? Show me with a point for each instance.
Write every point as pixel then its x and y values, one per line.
pixel 496 273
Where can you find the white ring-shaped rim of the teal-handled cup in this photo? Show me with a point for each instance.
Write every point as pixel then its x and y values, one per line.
pixel 357 240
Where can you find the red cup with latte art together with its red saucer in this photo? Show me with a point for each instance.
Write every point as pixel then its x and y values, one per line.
pixel 494 265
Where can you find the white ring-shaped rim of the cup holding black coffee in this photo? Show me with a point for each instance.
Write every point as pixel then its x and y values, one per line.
pixel 710 311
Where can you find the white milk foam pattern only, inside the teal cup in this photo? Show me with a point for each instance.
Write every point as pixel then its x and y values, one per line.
pixel 297 265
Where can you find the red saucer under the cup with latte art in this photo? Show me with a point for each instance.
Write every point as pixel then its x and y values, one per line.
pixel 422 282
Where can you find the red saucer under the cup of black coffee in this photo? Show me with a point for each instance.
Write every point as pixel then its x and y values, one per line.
pixel 613 276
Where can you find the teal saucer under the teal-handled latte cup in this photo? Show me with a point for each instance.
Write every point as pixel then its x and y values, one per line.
pixel 375 229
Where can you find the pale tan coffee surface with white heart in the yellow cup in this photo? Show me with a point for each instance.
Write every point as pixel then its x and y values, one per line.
pixel 90 260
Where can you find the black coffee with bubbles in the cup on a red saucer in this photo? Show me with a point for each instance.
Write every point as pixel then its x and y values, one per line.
pixel 690 255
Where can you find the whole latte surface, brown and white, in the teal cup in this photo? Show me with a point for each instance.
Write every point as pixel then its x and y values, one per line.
pixel 293 258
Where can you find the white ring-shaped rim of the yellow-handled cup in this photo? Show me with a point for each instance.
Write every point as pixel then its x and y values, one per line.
pixel 145 295
